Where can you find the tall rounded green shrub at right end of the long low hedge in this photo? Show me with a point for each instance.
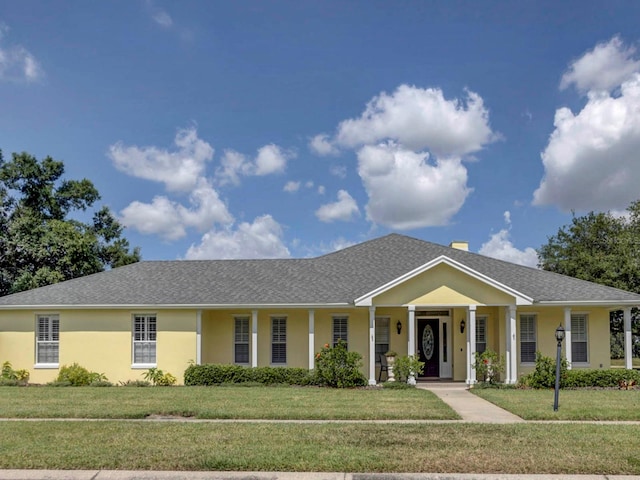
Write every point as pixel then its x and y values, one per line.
pixel 336 367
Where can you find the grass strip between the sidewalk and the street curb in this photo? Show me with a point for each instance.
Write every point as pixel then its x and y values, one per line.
pixel 516 448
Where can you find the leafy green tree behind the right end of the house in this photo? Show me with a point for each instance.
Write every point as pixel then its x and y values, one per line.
pixel 602 248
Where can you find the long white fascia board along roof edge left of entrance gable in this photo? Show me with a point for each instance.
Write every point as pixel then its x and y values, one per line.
pixel 174 306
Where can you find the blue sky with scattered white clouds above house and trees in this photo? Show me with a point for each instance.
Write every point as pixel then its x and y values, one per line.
pixel 289 129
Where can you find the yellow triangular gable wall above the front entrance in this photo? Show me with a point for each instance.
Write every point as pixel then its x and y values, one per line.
pixel 443 285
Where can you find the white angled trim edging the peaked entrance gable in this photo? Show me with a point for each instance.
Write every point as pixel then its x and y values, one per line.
pixel 367 299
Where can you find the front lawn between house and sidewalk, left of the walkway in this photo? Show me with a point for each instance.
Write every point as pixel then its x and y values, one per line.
pixel 222 402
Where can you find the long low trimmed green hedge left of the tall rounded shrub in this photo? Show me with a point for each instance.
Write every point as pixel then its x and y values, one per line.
pixel 219 374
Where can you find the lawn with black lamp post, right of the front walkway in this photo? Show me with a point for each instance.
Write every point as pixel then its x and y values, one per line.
pixel 573 404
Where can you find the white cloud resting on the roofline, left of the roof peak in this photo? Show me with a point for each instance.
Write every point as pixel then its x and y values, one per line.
pixel 260 239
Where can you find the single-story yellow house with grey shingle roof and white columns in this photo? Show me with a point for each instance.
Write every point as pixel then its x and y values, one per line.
pixel 391 293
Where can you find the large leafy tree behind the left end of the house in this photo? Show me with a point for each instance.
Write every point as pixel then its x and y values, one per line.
pixel 41 242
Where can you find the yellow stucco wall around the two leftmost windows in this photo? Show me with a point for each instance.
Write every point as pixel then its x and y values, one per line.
pixel 99 340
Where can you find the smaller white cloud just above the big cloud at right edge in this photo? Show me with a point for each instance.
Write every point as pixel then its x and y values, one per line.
pixel 603 68
